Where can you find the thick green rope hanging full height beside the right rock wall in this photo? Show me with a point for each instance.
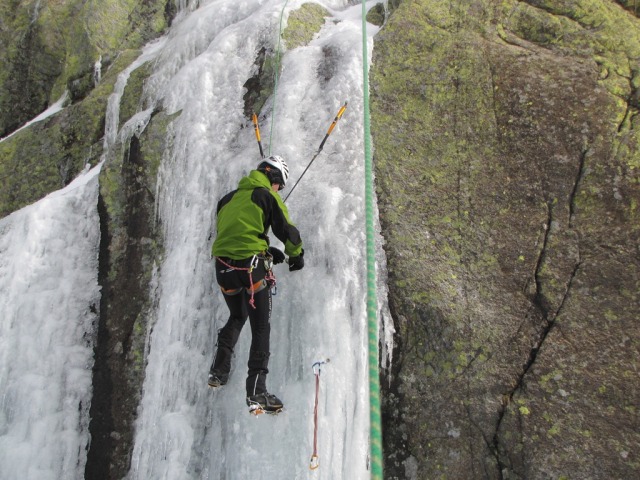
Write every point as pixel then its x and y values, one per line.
pixel 375 433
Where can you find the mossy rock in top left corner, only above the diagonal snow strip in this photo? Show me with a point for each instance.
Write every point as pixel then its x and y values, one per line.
pixel 55 48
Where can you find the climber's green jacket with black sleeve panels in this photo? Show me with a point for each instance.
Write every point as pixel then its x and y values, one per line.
pixel 245 217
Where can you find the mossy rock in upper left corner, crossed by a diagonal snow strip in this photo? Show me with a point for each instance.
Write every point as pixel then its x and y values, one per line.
pixel 47 50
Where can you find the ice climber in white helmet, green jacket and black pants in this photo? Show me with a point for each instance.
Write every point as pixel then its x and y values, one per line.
pixel 243 260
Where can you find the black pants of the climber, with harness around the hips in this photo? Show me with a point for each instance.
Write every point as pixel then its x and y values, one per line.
pixel 236 286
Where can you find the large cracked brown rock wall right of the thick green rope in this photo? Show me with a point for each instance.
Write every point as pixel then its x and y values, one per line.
pixel 506 151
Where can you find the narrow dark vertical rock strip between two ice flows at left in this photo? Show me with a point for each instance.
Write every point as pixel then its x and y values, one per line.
pixel 130 250
